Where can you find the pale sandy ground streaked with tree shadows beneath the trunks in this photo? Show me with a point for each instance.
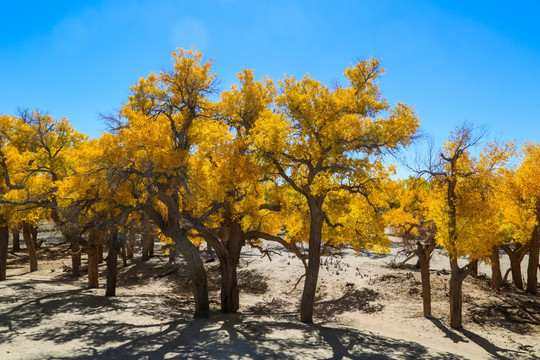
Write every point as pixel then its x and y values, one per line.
pixel 365 309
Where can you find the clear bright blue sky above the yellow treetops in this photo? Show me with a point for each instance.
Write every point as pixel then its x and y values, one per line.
pixel 454 61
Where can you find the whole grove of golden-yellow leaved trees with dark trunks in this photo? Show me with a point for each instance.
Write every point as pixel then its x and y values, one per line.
pixel 294 162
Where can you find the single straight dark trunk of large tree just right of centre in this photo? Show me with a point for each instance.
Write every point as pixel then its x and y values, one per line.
pixel 314 260
